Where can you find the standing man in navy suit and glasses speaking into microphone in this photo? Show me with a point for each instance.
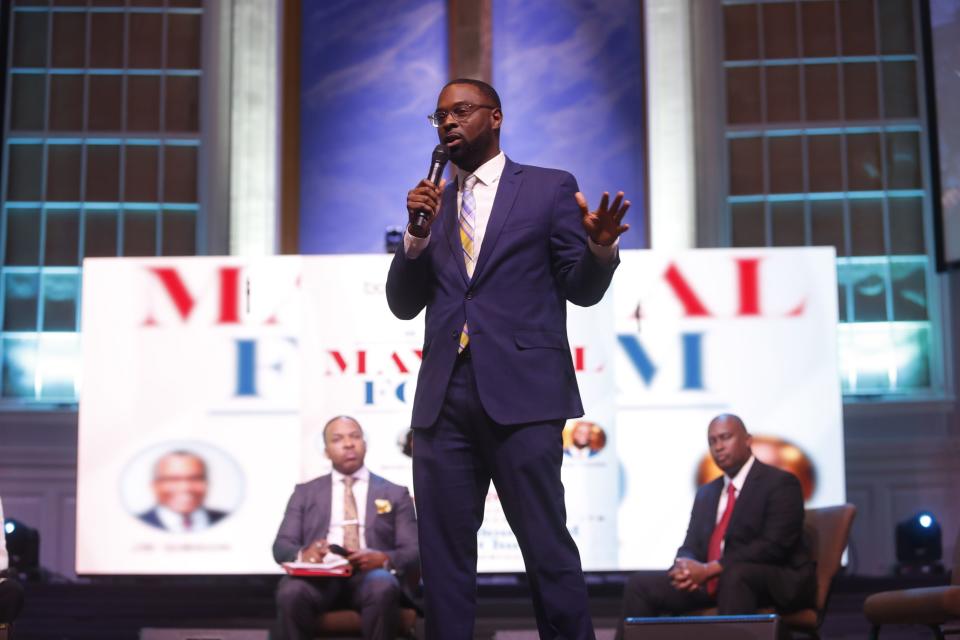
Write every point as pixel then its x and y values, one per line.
pixel 494 257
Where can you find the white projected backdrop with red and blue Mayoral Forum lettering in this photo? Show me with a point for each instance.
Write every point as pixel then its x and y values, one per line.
pixel 207 382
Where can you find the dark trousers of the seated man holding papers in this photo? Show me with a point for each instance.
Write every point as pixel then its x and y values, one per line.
pixel 375 594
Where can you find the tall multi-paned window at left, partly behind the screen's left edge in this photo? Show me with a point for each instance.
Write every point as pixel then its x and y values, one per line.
pixel 100 158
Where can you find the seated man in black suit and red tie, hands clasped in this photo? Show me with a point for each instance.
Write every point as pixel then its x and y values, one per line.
pixel 744 547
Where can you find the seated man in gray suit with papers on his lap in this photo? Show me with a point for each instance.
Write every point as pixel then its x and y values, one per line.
pixel 380 536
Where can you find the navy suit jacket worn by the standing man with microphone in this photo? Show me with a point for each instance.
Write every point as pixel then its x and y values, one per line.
pixel 533 259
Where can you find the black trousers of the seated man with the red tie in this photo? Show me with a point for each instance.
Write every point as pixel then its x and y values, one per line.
pixel 742 590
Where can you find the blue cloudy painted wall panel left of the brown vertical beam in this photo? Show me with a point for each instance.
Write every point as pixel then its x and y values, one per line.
pixel 370 75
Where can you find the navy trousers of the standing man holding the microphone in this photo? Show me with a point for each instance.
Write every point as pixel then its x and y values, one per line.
pixel 453 464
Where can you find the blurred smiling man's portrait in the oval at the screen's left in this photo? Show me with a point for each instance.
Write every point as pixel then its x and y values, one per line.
pixel 180 486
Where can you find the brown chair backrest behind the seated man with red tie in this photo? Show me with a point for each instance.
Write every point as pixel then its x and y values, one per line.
pixel 827 530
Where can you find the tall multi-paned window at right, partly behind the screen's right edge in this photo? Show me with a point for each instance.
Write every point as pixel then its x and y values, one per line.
pixel 826 145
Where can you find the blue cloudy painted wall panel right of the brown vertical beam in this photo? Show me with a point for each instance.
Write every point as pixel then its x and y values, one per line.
pixel 570 76
